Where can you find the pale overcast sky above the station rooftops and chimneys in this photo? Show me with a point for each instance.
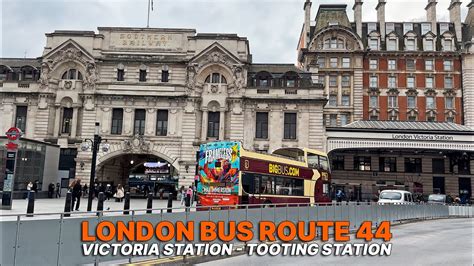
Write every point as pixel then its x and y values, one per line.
pixel 272 26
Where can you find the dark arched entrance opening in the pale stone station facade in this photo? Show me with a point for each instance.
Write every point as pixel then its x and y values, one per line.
pixel 139 173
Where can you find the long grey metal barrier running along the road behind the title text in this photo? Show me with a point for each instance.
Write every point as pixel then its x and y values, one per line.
pixel 56 239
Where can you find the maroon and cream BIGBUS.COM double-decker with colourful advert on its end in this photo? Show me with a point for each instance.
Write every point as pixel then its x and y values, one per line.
pixel 229 175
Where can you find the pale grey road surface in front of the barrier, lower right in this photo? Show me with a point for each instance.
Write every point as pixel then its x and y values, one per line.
pixel 437 242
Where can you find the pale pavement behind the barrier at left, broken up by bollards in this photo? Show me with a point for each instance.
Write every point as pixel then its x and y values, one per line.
pixel 57 205
